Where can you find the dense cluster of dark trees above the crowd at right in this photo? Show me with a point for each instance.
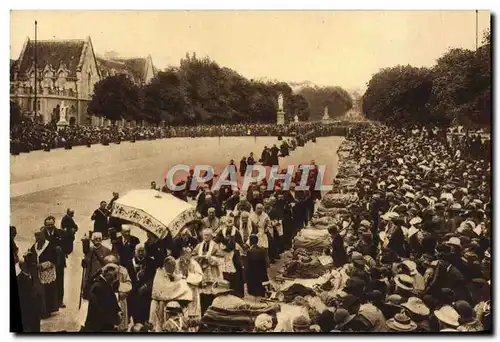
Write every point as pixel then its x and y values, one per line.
pixel 457 90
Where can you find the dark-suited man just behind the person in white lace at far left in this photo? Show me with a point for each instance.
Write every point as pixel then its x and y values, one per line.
pixel 57 237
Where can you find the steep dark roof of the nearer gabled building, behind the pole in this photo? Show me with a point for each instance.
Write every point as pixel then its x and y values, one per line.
pixel 54 53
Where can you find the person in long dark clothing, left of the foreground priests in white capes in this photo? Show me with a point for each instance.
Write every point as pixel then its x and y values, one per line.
pixel 142 273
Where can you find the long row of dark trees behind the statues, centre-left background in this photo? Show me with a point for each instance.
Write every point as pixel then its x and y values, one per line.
pixel 200 91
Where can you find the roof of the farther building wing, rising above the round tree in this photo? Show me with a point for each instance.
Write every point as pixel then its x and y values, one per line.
pixel 134 67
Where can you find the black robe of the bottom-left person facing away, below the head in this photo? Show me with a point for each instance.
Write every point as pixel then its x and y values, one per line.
pixel 103 310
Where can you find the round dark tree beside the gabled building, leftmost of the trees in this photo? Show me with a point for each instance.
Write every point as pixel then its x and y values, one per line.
pixel 117 97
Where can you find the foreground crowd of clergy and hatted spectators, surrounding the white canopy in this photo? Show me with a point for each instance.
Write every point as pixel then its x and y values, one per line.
pixel 402 244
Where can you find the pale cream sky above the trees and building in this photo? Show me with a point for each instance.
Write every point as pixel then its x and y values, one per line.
pixel 343 48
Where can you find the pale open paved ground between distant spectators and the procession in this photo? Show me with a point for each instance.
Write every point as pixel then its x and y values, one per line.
pixel 45 184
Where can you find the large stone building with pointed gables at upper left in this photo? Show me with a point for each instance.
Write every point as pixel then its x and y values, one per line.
pixel 67 70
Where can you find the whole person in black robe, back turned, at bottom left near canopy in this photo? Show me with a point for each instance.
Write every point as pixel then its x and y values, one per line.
pixel 104 312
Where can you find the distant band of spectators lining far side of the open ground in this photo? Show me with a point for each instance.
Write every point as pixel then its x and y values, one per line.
pixel 34 135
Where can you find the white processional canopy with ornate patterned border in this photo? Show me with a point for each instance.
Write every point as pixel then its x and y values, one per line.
pixel 153 211
